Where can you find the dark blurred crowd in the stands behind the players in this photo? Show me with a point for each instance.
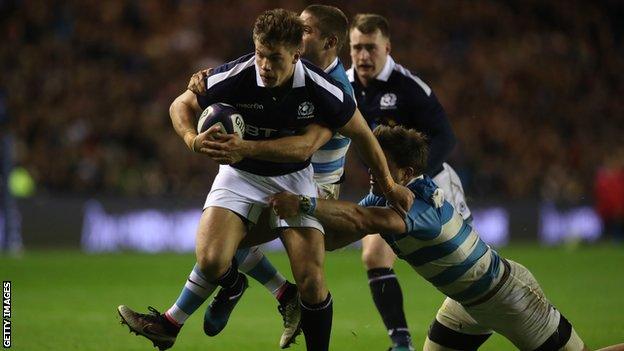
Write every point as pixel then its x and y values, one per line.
pixel 533 90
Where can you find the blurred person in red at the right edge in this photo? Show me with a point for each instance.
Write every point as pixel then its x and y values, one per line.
pixel 609 194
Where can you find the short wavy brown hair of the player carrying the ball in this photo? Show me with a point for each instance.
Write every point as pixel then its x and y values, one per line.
pixel 278 27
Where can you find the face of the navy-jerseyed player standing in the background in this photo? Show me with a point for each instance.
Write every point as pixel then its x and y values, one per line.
pixel 369 53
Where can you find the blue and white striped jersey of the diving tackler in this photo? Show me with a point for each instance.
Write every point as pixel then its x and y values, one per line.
pixel 441 246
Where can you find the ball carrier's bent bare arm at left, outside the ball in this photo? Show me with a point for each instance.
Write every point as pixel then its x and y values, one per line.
pixel 183 112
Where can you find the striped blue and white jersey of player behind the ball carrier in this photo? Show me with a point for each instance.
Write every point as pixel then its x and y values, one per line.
pixel 328 161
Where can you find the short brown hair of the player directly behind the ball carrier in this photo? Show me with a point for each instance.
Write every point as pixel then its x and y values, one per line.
pixel 332 21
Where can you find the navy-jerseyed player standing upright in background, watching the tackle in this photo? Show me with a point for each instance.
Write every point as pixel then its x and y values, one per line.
pixel 389 94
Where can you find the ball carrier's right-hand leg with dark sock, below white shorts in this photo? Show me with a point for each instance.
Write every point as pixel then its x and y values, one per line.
pixel 305 247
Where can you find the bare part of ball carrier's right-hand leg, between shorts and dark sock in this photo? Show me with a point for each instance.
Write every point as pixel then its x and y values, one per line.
pixel 306 252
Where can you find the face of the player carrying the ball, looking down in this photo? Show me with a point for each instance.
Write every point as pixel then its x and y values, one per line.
pixel 276 64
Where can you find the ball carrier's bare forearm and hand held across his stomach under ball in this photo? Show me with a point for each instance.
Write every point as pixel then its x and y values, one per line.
pixel 229 148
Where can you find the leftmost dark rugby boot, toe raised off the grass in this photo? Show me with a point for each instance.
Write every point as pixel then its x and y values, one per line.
pixel 153 326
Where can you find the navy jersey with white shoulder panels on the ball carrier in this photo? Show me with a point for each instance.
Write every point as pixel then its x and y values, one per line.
pixel 315 97
